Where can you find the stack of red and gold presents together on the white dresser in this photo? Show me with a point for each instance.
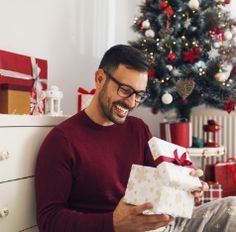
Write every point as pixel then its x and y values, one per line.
pixel 22 79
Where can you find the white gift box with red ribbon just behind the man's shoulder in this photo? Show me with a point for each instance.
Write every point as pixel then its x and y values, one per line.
pixel 84 98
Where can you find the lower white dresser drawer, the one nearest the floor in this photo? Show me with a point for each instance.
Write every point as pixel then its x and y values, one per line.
pixel 18 199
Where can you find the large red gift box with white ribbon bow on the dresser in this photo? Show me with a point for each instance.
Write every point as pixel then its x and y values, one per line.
pixel 22 70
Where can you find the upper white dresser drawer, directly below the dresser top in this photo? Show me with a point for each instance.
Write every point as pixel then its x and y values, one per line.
pixel 19 147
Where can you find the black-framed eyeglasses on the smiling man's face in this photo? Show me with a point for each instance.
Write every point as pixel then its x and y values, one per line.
pixel 126 91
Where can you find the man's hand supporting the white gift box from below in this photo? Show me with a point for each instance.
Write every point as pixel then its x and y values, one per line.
pixel 129 218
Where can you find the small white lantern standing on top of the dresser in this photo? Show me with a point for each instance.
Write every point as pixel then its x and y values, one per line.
pixel 53 101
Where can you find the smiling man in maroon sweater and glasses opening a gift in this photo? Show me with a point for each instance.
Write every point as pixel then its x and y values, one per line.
pixel 84 163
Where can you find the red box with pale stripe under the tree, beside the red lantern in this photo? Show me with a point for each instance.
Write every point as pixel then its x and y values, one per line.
pixel 179 133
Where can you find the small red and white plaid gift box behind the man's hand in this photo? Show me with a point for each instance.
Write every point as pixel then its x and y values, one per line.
pixel 213 193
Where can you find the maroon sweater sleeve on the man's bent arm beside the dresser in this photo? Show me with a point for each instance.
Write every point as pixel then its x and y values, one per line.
pixel 53 181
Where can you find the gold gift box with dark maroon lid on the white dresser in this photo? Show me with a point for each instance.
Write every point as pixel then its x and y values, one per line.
pixel 14 99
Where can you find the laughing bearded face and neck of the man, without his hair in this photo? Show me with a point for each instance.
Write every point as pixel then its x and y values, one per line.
pixel 117 94
